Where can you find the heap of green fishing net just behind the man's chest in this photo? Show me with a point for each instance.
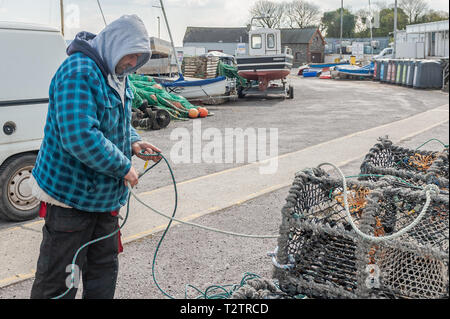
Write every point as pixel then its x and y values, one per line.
pixel 145 88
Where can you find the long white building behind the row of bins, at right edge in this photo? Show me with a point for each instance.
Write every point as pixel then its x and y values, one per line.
pixel 424 40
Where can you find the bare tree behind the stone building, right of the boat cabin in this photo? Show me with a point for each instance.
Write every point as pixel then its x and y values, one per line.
pixel 301 14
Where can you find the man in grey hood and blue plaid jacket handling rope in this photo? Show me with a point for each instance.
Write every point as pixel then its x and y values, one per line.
pixel 84 164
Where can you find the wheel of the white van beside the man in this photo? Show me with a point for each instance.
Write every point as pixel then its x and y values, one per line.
pixel 16 201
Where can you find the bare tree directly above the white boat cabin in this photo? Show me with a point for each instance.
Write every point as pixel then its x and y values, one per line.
pixel 270 11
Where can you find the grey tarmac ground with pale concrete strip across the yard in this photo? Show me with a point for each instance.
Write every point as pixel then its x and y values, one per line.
pixel 333 121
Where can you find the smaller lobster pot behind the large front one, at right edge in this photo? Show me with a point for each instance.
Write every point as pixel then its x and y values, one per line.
pixel 417 167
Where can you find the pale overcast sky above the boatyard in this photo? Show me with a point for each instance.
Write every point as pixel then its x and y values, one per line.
pixel 84 15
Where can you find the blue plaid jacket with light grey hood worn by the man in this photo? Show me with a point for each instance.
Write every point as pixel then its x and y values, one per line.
pixel 86 151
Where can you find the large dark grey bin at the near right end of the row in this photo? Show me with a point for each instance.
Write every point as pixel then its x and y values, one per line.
pixel 428 75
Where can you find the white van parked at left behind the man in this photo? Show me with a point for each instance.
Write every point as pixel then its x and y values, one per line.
pixel 29 57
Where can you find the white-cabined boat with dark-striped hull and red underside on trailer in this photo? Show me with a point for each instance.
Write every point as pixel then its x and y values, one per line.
pixel 265 63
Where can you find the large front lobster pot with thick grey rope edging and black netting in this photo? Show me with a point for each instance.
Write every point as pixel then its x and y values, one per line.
pixel 321 255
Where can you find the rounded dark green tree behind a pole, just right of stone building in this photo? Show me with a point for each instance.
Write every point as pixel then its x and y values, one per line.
pixel 331 24
